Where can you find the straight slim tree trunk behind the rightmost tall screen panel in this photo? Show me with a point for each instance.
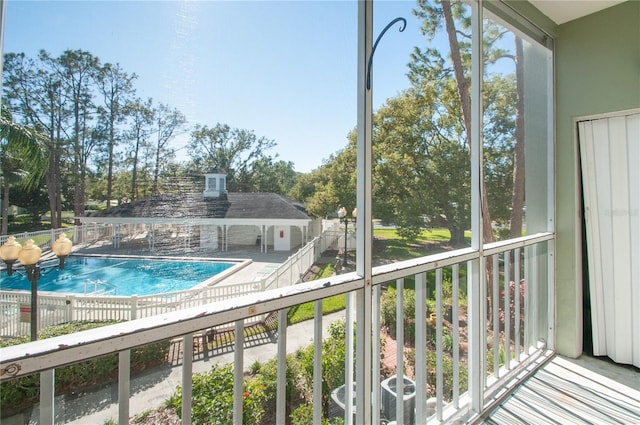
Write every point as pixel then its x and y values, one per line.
pixel 517 200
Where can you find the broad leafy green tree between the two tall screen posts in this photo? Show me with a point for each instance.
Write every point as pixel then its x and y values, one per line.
pixel 421 168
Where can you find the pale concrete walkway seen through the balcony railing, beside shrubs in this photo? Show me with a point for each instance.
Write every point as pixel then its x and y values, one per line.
pixel 150 389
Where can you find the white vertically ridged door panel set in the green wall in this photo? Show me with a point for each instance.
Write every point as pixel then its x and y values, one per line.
pixel 610 154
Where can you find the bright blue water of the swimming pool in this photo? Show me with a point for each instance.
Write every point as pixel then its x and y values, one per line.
pixel 119 276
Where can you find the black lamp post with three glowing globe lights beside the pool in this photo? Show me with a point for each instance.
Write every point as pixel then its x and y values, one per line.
pixel 29 255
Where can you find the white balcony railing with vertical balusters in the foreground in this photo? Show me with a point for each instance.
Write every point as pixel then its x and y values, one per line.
pixel 480 318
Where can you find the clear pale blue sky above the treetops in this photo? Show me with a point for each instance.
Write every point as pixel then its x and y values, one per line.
pixel 284 69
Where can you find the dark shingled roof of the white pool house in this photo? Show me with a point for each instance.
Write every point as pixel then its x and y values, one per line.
pixel 194 205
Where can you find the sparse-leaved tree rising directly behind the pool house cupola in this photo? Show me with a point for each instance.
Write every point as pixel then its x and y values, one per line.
pixel 231 150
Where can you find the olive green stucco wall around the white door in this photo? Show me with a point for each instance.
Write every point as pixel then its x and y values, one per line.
pixel 597 71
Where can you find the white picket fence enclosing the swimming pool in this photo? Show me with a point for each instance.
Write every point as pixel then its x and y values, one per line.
pixel 61 308
